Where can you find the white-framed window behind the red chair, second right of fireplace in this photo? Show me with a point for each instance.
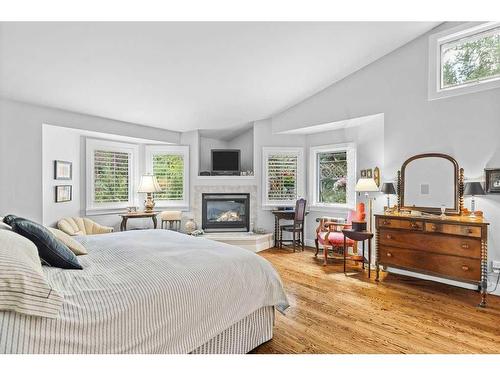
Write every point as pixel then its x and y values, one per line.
pixel 332 175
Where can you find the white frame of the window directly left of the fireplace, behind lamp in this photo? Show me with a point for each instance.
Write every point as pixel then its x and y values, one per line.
pixel 149 152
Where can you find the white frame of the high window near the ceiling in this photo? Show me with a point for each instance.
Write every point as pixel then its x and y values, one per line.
pixel 466 30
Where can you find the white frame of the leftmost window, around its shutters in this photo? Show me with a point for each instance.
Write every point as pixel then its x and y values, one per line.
pixel 93 144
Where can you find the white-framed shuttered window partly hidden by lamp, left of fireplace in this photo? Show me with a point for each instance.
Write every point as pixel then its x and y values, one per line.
pixel 170 165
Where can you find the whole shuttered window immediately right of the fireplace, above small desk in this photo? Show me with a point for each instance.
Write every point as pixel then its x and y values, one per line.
pixel 283 177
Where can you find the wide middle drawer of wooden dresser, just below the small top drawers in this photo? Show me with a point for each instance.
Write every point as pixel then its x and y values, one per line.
pixel 443 244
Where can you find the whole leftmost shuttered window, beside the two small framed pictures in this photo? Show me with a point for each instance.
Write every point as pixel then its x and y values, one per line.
pixel 111 174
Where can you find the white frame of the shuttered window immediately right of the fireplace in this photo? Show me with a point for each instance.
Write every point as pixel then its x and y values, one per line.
pixel 266 153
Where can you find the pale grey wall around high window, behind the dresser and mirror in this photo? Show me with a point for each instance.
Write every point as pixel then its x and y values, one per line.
pixel 466 127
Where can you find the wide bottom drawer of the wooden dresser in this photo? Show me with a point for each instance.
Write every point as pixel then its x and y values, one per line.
pixel 442 265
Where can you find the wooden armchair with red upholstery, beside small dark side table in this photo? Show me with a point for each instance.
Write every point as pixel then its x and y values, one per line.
pixel 329 233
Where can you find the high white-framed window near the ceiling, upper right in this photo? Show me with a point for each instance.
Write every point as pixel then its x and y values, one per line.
pixel 464 59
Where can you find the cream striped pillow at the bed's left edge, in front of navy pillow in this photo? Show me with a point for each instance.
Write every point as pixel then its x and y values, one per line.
pixel 23 287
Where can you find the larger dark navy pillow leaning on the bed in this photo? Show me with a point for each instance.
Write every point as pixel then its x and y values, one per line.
pixel 51 251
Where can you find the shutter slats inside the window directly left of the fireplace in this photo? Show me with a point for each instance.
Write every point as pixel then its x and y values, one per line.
pixel 169 171
